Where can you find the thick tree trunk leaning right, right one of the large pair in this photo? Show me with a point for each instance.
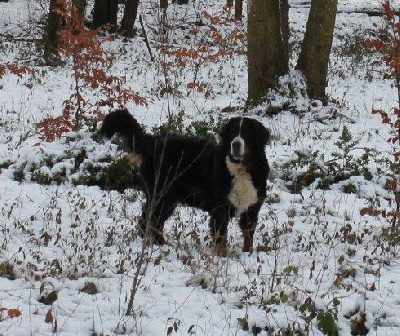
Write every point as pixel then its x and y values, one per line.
pixel 314 56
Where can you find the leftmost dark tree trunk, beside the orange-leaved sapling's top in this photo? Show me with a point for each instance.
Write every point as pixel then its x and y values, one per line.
pixel 50 38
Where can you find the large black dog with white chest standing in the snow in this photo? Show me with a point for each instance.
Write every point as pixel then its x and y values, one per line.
pixel 228 179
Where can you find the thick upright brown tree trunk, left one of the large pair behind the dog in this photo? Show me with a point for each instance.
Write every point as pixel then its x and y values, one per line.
pixel 267 55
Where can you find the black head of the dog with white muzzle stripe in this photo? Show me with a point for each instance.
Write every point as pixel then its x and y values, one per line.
pixel 242 137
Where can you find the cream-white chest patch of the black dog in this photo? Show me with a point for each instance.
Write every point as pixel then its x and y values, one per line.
pixel 243 194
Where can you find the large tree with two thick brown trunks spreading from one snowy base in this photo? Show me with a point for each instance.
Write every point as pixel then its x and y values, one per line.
pixel 268 46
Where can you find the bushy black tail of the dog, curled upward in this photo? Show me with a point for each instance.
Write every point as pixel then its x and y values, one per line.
pixel 122 122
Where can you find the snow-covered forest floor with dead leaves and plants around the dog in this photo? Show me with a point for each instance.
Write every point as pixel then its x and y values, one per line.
pixel 70 258
